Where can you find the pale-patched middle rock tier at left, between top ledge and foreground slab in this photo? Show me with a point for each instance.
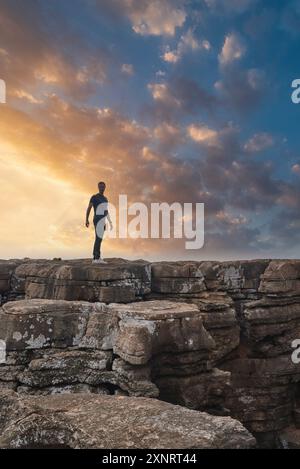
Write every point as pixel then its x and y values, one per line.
pixel 154 348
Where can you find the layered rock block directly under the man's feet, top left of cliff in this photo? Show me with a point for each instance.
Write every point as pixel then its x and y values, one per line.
pixel 120 281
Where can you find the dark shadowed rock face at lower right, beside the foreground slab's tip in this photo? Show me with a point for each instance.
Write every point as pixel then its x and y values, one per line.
pixel 262 393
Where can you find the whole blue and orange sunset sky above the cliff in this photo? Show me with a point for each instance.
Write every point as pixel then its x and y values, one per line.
pixel 164 100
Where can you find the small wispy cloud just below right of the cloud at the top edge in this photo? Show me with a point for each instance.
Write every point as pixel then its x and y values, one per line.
pixel 187 42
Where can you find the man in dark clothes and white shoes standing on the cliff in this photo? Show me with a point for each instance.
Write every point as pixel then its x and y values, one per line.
pixel 99 203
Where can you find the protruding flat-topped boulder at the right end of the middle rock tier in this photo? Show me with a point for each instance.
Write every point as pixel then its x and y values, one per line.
pixel 147 329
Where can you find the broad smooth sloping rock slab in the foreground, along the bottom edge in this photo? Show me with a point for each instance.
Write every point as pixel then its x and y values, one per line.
pixel 90 421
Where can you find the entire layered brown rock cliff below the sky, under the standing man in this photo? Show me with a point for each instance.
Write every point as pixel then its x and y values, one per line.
pixel 210 336
